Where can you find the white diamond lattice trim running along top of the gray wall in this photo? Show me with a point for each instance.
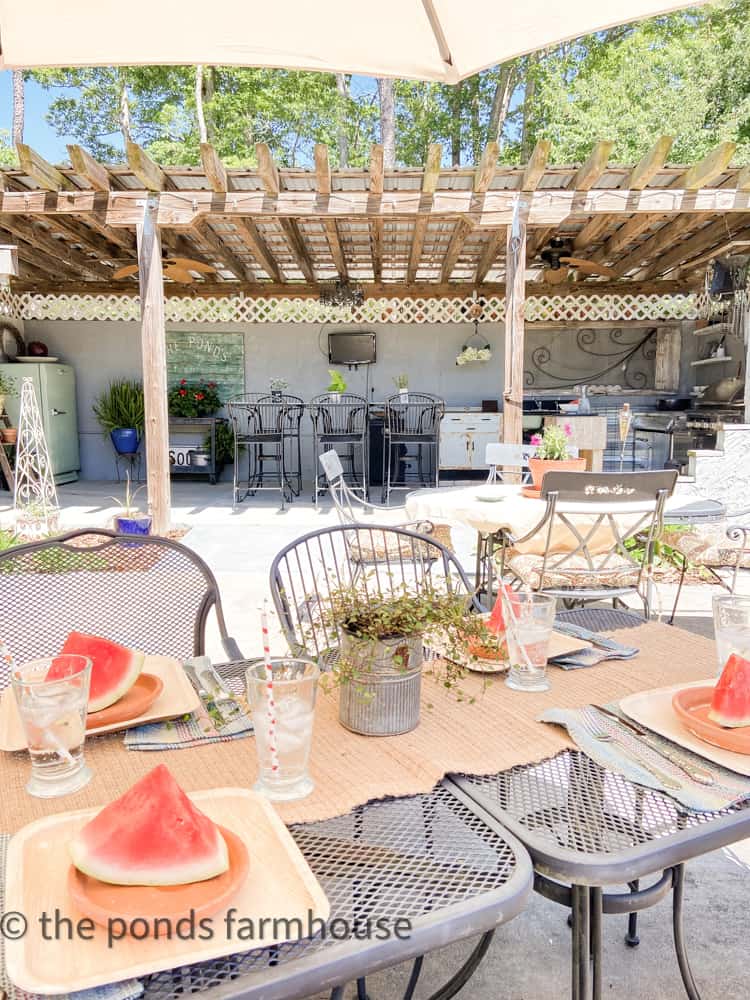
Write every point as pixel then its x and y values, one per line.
pixel 241 309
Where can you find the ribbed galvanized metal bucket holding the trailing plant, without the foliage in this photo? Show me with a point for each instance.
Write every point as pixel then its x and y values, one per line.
pixel 382 699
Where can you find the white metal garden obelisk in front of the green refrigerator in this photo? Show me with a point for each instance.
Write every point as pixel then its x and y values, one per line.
pixel 34 498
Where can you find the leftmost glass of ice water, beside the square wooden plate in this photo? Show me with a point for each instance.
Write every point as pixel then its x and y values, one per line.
pixel 52 696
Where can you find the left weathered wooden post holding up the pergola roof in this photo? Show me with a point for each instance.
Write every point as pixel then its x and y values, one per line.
pixel 154 359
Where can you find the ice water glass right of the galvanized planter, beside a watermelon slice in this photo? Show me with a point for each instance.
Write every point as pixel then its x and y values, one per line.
pixel 529 621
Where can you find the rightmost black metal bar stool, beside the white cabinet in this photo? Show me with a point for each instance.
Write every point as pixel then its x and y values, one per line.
pixel 412 421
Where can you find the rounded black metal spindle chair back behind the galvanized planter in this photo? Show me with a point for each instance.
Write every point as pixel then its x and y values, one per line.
pixel 307 574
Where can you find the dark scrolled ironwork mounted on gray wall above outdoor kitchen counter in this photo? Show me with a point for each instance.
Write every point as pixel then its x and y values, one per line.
pixel 626 354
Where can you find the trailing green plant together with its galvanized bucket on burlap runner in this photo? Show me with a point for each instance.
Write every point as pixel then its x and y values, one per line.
pixel 378 669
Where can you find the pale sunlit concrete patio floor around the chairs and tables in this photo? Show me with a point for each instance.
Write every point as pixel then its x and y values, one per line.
pixel 529 958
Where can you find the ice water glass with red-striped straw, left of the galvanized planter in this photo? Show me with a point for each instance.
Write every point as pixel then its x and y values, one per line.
pixel 283 713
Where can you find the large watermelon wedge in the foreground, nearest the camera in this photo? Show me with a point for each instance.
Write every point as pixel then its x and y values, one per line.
pixel 151 835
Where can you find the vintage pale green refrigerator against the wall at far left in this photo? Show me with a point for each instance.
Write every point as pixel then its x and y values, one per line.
pixel 55 388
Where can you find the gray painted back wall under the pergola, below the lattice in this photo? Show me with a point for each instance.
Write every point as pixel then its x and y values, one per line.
pixel 101 351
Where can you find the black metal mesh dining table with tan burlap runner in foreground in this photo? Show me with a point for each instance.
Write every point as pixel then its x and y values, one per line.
pixel 416 824
